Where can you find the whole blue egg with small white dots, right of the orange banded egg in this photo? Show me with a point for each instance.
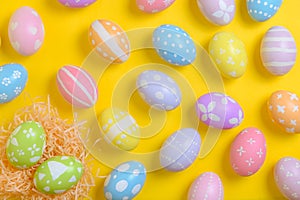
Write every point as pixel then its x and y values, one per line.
pixel 174 45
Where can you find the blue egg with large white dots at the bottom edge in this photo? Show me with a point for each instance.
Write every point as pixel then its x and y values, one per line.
pixel 125 181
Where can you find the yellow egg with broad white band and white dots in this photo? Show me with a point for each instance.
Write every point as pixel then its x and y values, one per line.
pixel 120 128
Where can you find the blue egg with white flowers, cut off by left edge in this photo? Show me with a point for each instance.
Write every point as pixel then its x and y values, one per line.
pixel 13 78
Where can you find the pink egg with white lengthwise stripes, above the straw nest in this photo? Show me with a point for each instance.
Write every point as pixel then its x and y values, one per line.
pixel 77 86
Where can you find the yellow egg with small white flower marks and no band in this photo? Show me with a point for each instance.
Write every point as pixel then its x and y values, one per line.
pixel 229 54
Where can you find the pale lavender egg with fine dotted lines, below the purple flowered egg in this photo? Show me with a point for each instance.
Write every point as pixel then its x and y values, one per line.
pixel 180 150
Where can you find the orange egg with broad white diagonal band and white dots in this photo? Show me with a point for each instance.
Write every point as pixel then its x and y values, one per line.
pixel 109 40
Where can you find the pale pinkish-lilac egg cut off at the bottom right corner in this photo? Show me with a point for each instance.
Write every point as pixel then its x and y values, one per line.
pixel 287 177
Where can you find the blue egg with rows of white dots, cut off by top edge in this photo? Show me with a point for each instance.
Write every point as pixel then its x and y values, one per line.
pixel 262 10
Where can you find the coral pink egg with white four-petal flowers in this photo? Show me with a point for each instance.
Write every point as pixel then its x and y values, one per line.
pixel 248 152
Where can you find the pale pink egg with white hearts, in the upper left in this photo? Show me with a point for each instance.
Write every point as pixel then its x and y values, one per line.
pixel 26 31
